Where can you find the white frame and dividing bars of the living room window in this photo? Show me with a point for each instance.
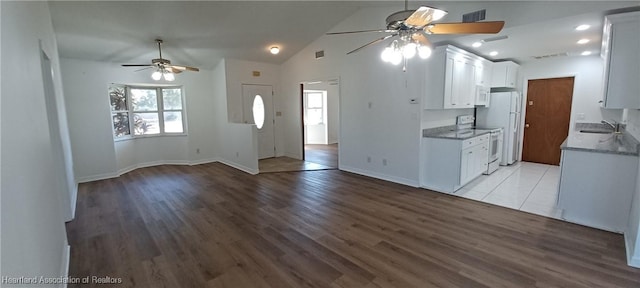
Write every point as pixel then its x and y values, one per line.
pixel 160 112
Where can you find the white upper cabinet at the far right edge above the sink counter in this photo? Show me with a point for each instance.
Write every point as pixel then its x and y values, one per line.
pixel 620 46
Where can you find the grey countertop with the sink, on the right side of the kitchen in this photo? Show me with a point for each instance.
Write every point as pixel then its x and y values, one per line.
pixel 623 143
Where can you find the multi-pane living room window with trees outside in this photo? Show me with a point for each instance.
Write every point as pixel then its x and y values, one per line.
pixel 144 111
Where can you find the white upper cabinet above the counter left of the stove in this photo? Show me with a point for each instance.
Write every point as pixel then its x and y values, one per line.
pixel 451 79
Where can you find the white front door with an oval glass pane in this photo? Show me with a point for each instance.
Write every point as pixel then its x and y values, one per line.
pixel 258 109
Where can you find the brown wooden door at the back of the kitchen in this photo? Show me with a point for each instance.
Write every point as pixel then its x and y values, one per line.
pixel 547 119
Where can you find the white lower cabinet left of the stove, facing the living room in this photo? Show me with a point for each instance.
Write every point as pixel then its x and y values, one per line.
pixel 449 164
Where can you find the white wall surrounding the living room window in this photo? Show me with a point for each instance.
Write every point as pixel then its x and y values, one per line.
pixel 96 154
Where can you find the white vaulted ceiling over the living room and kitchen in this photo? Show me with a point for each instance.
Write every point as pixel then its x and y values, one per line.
pixel 200 33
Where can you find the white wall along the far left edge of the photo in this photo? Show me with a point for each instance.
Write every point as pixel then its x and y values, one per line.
pixel 34 241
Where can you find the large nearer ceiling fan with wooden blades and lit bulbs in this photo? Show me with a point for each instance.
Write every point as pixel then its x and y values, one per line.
pixel 411 28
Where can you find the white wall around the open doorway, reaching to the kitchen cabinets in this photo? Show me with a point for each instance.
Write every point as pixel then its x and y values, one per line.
pixel 374 101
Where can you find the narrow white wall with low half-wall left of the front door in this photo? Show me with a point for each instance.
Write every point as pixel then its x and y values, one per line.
pixel 237 143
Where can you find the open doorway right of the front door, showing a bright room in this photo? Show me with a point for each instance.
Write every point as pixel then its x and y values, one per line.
pixel 320 109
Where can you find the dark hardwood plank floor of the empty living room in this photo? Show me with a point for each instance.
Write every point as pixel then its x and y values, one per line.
pixel 213 226
